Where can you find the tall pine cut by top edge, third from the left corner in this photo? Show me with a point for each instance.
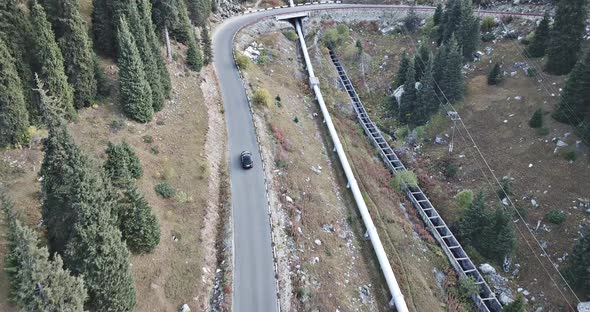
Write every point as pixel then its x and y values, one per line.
pixel 76 48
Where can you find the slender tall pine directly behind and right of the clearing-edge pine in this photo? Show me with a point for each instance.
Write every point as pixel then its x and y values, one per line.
pixel 148 58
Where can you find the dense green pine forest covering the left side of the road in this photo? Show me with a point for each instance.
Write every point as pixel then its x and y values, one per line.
pixel 93 214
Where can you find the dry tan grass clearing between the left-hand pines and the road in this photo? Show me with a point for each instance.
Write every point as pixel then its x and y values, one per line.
pixel 171 274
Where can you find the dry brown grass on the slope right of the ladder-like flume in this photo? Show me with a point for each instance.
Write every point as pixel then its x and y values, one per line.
pixel 500 128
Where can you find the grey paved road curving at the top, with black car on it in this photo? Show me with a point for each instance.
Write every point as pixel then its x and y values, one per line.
pixel 254 285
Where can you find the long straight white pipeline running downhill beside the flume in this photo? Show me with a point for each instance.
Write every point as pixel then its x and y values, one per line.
pixel 396 293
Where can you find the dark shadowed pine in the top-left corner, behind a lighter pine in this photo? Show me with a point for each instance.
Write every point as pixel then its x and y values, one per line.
pixel 16 31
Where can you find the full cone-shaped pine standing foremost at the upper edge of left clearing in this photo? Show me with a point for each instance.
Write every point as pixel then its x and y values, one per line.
pixel 134 89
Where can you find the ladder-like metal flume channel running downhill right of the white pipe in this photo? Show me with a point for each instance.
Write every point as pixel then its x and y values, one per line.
pixel 486 299
